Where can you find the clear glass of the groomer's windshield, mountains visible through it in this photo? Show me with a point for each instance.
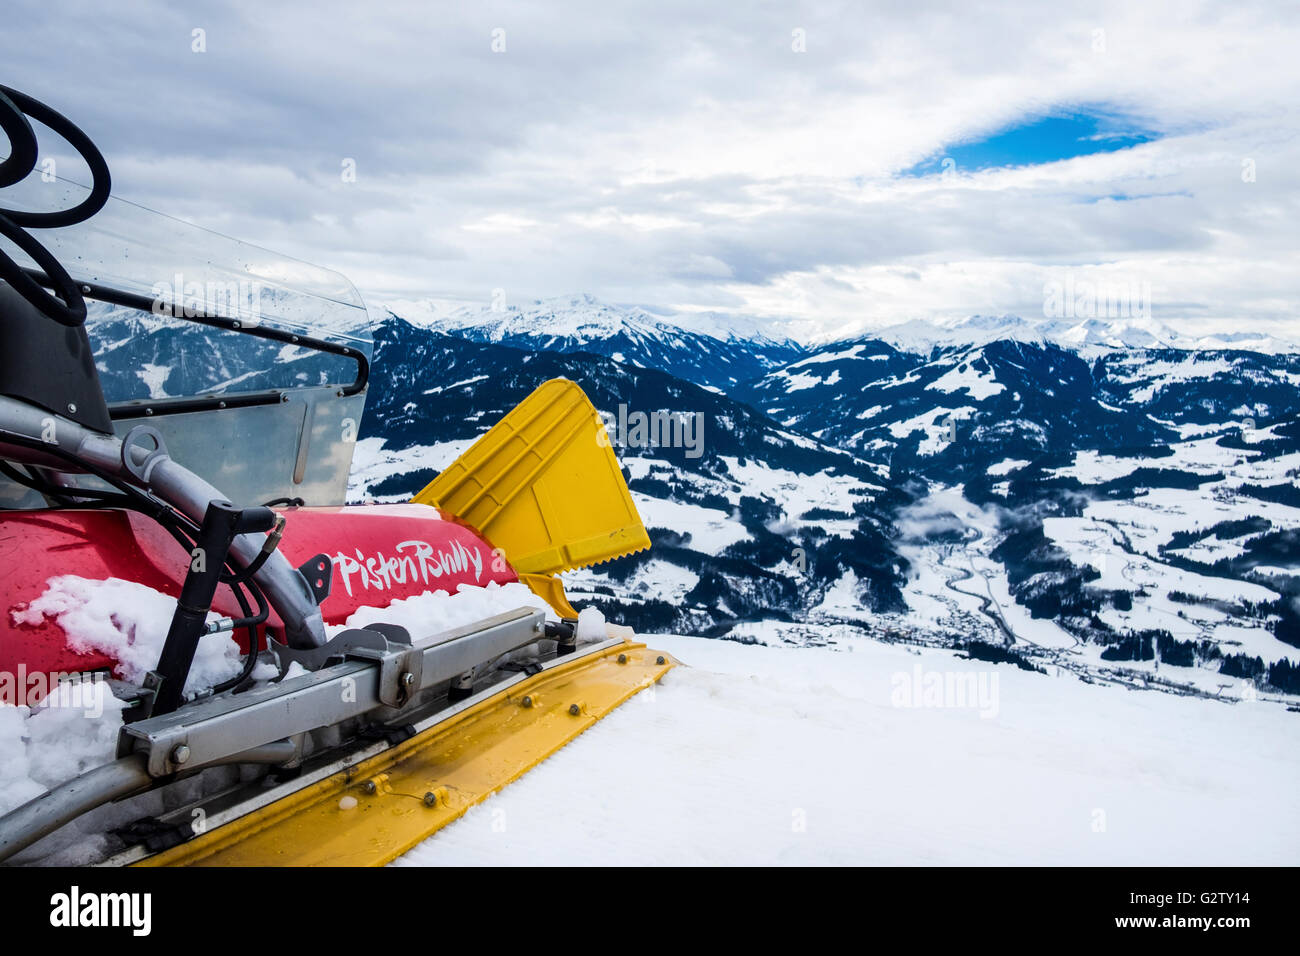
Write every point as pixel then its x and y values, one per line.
pixel 174 263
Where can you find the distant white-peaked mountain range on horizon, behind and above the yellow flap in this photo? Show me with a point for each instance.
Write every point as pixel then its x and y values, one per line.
pixel 708 351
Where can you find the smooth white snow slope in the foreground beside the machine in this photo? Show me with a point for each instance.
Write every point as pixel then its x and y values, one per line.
pixel 757 755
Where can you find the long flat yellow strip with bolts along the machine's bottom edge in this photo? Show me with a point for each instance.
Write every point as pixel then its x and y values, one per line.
pixel 371 814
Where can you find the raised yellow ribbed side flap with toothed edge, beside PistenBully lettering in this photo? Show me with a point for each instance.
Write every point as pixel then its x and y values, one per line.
pixel 545 487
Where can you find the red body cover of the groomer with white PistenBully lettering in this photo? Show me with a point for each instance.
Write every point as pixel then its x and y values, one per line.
pixel 380 553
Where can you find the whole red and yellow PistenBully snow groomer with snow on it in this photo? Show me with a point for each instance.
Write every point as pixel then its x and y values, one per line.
pixel 291 681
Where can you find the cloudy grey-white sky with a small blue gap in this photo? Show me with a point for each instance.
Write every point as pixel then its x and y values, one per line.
pixel 843 165
